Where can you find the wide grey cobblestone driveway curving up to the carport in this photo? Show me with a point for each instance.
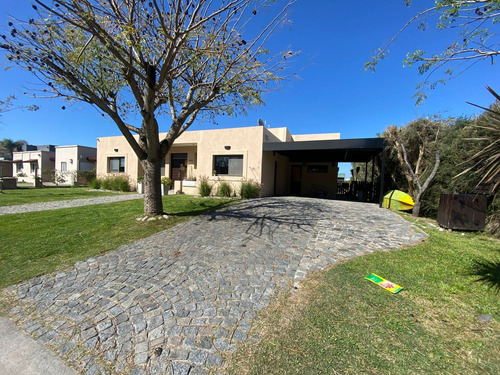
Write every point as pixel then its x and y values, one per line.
pixel 174 302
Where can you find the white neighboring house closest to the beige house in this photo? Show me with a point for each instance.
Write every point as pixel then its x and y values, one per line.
pixel 70 160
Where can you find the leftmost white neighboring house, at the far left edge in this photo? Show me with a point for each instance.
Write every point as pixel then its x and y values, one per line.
pixel 34 161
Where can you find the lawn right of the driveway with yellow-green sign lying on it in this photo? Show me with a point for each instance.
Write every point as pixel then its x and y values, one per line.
pixel 340 323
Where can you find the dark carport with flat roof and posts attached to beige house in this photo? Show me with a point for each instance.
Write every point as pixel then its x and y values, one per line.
pixel 359 150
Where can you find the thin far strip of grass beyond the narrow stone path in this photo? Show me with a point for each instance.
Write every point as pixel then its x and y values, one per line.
pixel 23 195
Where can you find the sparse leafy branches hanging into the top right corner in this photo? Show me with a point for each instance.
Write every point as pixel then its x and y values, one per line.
pixel 476 39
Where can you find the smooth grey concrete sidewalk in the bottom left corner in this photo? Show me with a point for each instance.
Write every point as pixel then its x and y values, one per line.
pixel 21 355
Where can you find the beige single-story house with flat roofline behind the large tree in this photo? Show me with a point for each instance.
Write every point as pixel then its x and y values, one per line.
pixel 284 164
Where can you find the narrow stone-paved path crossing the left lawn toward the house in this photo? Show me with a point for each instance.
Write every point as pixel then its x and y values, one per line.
pixel 44 206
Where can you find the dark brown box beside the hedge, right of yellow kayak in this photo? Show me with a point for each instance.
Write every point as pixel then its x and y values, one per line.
pixel 462 211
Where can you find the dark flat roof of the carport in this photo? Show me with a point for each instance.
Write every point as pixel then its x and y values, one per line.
pixel 335 150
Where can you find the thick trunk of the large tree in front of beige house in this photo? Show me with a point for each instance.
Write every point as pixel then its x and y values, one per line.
pixel 153 204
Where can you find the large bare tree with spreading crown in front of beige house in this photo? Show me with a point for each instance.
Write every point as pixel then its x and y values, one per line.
pixel 144 59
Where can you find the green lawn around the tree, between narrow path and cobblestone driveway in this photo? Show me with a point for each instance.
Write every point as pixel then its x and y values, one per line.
pixel 37 243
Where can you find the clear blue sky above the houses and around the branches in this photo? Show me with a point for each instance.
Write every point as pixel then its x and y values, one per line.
pixel 332 93
